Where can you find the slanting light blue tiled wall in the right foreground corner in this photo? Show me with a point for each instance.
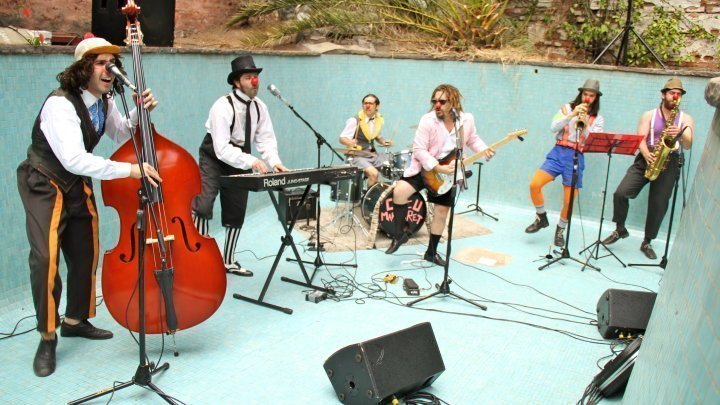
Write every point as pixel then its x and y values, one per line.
pixel 678 361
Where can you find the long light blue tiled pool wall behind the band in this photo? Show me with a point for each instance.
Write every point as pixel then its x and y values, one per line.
pixel 326 90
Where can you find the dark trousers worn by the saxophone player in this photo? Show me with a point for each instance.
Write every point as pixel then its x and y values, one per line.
pixel 658 198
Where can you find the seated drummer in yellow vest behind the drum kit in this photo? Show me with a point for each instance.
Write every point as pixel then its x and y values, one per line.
pixel 361 133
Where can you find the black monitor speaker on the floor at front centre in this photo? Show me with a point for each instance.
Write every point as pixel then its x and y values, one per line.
pixel 393 365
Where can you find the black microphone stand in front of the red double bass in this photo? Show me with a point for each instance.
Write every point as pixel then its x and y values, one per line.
pixel 145 369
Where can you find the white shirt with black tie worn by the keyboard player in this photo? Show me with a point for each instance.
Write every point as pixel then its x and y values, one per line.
pixel 262 136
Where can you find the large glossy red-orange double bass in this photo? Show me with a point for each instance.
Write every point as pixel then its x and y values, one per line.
pixel 184 275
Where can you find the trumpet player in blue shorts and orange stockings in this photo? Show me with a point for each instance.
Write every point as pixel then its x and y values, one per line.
pixel 570 126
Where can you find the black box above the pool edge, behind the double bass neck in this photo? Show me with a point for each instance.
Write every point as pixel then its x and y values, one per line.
pixel 157 21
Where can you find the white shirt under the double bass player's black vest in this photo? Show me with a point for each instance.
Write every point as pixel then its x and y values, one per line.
pixel 61 125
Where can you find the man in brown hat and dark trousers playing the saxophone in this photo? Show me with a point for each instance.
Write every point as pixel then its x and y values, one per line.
pixel 662 123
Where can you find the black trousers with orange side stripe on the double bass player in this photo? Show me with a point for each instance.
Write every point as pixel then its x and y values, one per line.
pixel 59 221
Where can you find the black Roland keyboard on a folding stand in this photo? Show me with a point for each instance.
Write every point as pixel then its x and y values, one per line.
pixel 292 178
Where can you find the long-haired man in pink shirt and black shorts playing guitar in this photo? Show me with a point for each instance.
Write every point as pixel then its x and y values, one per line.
pixel 435 139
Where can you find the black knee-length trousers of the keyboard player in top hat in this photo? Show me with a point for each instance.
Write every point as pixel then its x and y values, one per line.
pixel 233 202
